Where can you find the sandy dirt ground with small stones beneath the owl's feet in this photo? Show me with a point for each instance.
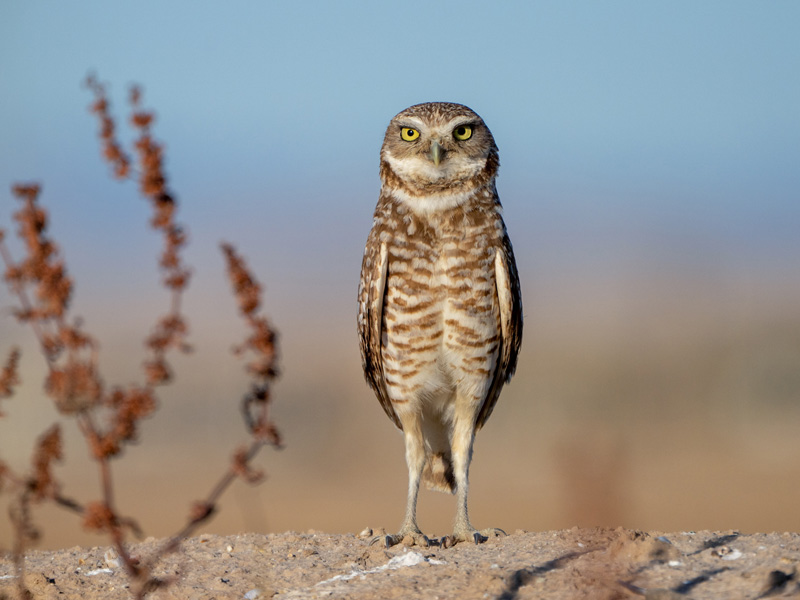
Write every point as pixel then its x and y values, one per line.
pixel 567 564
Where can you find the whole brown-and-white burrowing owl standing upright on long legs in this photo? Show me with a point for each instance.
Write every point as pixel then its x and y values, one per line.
pixel 440 310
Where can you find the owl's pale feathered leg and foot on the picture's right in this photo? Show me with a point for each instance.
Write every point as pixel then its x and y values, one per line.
pixel 462 442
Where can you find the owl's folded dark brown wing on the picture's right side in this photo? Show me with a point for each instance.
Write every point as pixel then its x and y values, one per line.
pixel 509 298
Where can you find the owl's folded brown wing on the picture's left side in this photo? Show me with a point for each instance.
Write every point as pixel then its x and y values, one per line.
pixel 371 292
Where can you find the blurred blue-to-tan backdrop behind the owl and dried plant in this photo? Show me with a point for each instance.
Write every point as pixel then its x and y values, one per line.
pixel 650 173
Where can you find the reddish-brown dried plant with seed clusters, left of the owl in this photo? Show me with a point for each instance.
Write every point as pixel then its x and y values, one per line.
pixel 109 417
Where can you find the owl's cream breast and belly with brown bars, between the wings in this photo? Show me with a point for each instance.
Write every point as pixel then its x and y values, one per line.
pixel 441 321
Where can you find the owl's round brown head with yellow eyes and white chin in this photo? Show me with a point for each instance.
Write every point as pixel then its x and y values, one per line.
pixel 437 154
